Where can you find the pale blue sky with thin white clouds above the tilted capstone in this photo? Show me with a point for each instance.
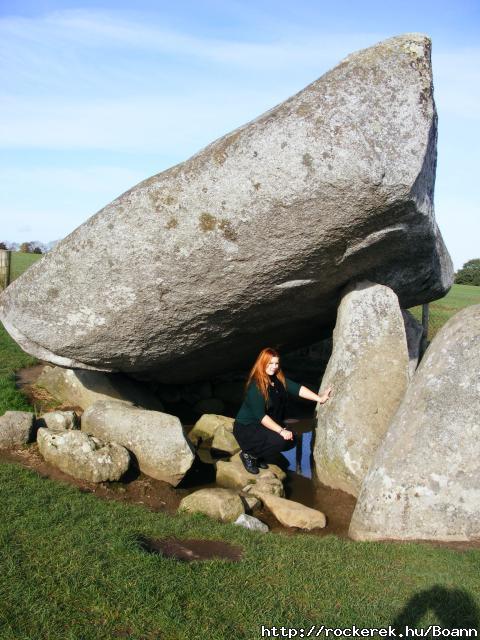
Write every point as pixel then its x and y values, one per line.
pixel 96 96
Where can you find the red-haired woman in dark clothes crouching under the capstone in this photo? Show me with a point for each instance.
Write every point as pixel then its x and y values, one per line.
pixel 259 428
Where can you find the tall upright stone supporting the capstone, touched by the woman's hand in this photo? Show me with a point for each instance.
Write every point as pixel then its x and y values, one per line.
pixel 368 371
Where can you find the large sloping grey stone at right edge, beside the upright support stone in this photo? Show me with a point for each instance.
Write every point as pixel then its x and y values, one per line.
pixel 424 481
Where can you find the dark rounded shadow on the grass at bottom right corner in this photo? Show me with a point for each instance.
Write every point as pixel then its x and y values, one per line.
pixel 454 608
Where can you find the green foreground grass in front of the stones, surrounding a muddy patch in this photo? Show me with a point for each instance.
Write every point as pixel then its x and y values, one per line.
pixel 71 569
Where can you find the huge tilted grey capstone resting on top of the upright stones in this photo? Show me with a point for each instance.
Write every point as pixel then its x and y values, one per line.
pixel 248 242
